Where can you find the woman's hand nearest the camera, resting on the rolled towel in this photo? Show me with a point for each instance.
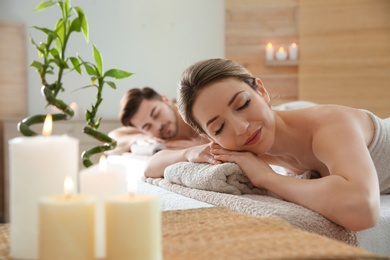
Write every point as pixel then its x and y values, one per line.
pixel 253 167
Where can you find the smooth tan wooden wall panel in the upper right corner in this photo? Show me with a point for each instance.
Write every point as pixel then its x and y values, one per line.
pixel 345 53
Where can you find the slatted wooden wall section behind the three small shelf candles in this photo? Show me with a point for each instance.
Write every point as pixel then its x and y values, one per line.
pixel 249 26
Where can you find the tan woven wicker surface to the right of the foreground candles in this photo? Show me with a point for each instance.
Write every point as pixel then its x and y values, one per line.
pixel 220 233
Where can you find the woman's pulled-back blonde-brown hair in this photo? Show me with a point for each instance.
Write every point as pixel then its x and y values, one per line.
pixel 202 73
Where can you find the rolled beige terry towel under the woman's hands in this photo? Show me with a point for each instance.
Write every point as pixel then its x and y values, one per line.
pixel 224 178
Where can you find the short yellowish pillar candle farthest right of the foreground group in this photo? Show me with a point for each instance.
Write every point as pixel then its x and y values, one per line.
pixel 133 227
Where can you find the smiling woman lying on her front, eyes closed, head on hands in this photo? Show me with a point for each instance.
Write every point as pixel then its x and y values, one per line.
pixel 349 148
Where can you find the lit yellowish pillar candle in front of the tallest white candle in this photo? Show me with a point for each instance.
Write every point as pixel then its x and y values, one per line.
pixel 66 226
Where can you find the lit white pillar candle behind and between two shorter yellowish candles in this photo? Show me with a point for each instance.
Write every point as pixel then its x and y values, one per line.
pixel 102 181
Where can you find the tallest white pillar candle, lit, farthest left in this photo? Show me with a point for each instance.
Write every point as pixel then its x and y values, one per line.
pixel 38 166
